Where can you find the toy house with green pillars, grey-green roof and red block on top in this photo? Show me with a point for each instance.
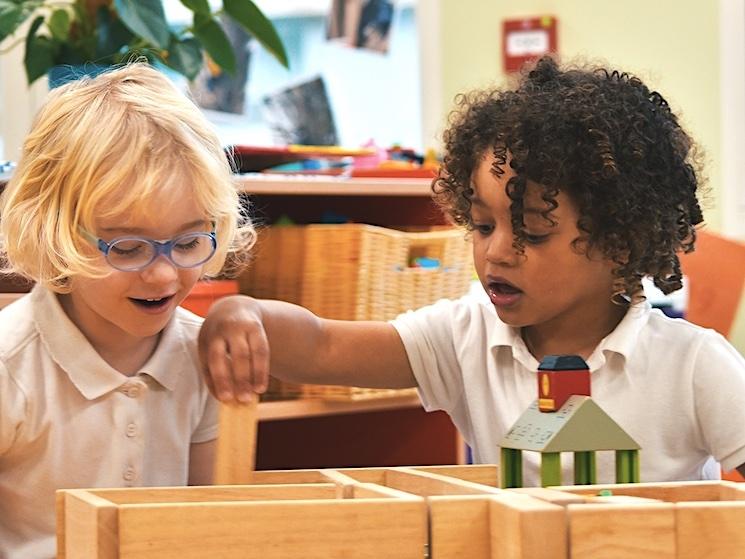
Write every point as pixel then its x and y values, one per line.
pixel 565 418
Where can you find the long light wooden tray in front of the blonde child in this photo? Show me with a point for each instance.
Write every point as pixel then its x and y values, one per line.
pixel 257 521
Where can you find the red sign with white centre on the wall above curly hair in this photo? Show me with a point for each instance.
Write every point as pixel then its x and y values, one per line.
pixel 527 39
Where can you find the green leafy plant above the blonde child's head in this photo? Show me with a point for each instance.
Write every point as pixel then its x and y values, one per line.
pixel 113 31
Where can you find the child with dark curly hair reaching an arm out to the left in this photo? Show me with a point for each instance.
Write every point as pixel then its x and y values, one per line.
pixel 575 185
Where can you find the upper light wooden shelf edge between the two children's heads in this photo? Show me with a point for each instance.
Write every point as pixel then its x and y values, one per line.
pixel 333 186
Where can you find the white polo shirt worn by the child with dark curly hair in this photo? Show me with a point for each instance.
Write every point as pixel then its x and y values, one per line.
pixel 676 388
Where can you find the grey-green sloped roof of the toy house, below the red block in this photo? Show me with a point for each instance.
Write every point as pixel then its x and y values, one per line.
pixel 580 425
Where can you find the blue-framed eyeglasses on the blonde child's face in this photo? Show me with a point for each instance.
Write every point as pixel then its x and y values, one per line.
pixel 132 254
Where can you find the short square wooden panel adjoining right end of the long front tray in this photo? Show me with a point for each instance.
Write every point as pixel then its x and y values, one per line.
pixel 459 527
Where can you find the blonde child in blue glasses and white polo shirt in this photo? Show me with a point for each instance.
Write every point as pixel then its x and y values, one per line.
pixel 121 201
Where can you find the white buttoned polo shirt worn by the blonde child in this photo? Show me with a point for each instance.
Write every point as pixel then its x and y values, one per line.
pixel 69 420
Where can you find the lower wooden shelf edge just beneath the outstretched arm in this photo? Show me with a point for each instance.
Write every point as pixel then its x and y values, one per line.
pixel 307 407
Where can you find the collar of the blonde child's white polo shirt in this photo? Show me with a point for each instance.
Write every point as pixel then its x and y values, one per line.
pixel 87 370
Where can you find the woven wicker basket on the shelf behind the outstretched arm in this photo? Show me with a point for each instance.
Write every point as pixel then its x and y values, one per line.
pixel 356 272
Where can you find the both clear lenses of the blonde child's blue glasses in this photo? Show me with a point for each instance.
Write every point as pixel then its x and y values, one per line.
pixel 186 251
